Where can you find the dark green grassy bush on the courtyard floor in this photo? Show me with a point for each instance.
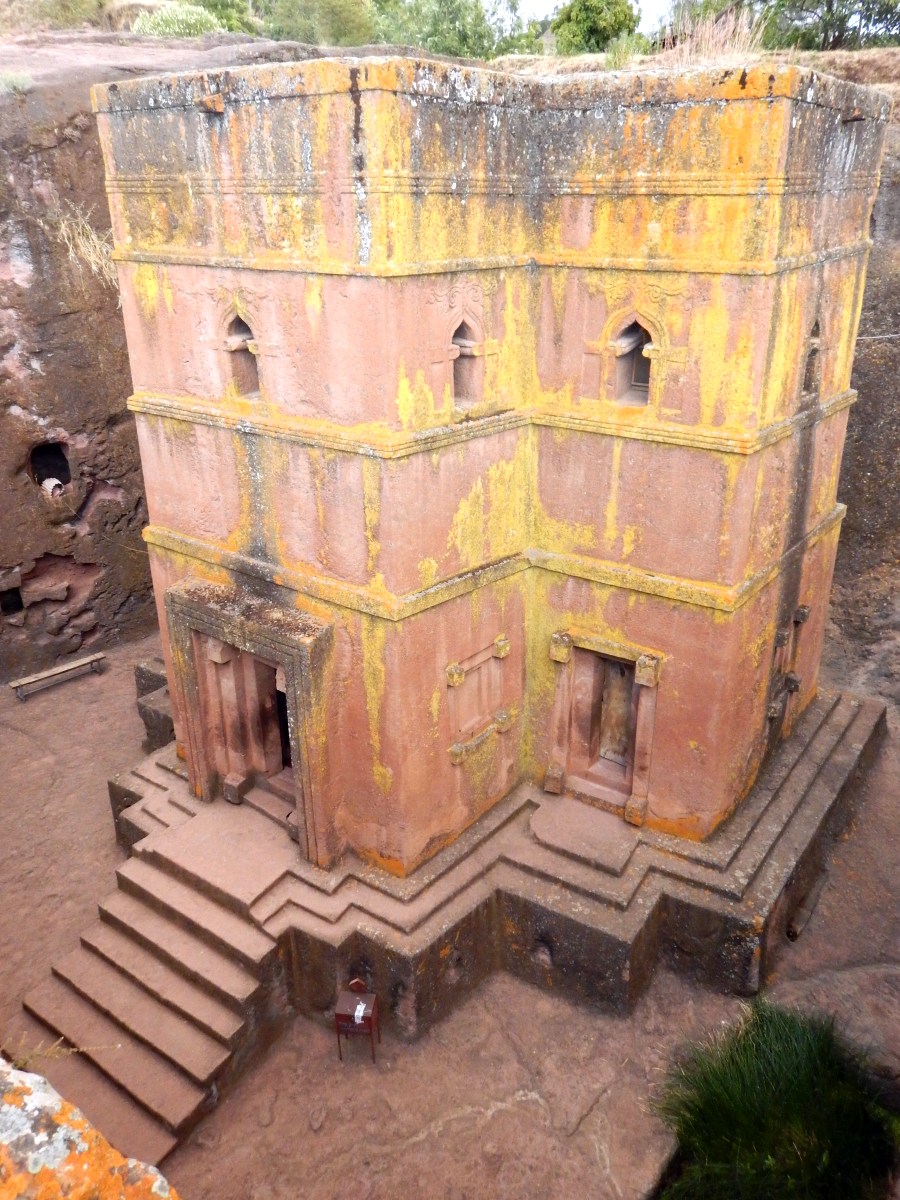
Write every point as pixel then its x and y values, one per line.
pixel 778 1108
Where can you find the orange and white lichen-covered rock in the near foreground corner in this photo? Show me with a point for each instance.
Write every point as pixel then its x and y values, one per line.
pixel 50 1150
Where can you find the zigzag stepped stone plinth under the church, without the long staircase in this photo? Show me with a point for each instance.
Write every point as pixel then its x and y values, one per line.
pixel 560 893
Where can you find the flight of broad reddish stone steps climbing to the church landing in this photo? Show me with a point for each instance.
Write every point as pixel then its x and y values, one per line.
pixel 166 999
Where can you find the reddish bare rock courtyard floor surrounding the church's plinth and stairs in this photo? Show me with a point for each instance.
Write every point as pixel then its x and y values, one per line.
pixel 518 1094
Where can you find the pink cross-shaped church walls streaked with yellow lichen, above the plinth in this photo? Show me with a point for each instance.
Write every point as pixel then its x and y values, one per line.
pixel 532 362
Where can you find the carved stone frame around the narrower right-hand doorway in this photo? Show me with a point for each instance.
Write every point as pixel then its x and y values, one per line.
pixel 632 795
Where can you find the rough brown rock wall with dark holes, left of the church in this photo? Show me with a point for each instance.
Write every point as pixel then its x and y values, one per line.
pixel 73 566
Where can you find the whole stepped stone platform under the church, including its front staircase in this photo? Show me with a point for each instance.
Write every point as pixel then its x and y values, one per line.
pixel 218 929
